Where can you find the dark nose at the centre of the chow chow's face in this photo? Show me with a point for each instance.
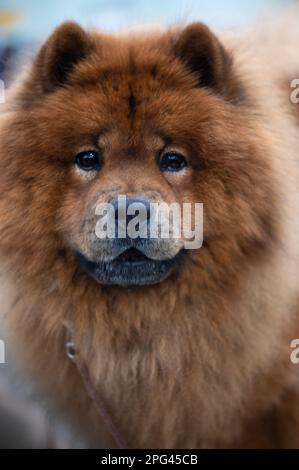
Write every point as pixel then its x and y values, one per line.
pixel 128 208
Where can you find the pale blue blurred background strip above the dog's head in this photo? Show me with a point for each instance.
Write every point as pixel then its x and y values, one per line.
pixel 24 23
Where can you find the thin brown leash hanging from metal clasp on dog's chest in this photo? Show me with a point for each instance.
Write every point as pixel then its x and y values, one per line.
pixel 95 396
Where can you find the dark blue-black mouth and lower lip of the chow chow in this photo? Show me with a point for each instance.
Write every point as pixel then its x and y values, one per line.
pixel 130 268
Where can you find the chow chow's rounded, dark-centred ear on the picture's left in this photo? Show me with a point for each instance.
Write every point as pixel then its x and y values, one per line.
pixel 66 47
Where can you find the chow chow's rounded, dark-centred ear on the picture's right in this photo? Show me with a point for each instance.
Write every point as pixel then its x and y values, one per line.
pixel 204 55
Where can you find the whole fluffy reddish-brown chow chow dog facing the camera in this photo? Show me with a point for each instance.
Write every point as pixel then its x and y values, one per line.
pixel 170 348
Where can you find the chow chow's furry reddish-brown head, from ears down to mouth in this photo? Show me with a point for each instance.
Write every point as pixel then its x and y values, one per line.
pixel 112 128
